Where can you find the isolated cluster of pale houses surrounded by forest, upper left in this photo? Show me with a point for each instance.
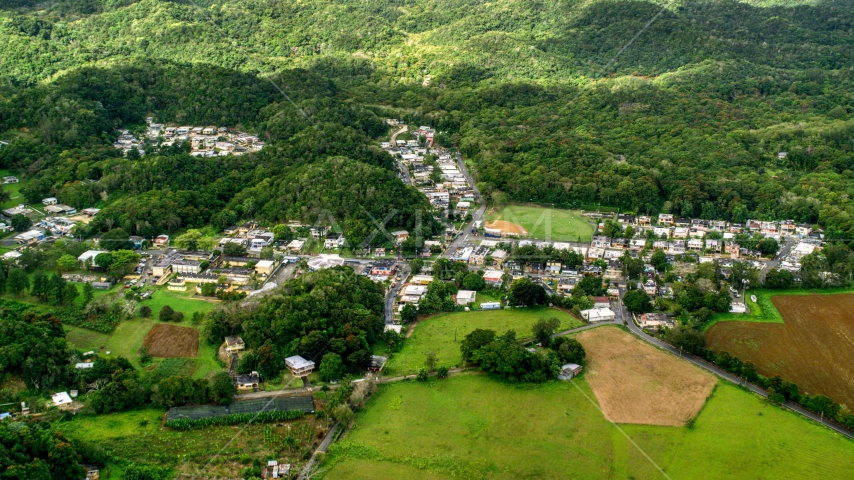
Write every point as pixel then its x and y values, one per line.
pixel 206 141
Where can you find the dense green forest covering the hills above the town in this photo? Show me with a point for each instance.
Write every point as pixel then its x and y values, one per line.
pixel 678 107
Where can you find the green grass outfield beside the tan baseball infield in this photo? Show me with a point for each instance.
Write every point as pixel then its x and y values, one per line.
pixel 546 223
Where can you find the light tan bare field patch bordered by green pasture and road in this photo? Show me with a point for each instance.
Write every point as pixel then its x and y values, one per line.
pixel 636 383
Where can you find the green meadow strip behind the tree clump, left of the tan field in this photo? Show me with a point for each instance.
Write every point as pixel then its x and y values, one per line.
pixel 443 334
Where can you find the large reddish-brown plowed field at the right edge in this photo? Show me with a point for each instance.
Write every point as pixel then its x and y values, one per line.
pixel 814 347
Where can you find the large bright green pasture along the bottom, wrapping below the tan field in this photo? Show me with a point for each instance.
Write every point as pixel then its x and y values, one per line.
pixel 473 426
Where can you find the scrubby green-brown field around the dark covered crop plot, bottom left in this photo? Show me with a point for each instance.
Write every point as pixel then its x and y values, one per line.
pixel 137 436
